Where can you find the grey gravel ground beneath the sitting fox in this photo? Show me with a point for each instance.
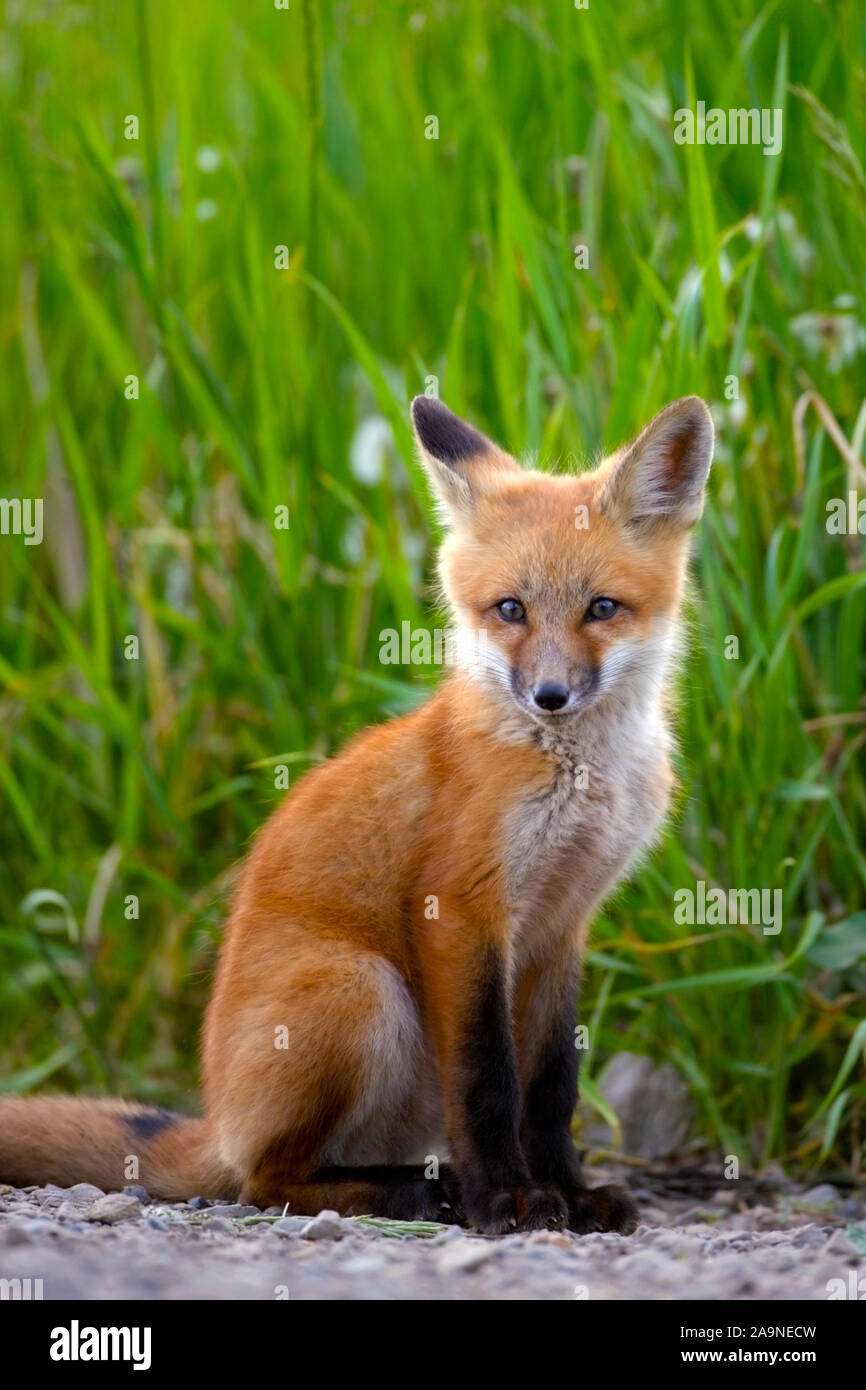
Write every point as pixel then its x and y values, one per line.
pixel 87 1246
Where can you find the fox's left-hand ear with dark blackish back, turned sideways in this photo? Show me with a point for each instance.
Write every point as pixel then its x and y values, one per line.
pixel 461 462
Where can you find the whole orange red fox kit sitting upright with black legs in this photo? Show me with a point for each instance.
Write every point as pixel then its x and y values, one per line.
pixel 414 915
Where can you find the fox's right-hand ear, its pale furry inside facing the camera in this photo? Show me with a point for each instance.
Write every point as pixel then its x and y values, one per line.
pixel 661 475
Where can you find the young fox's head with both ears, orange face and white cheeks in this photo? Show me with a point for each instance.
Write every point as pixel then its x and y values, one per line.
pixel 575 580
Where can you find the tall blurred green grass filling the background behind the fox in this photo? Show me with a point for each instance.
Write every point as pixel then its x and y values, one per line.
pixel 263 387
